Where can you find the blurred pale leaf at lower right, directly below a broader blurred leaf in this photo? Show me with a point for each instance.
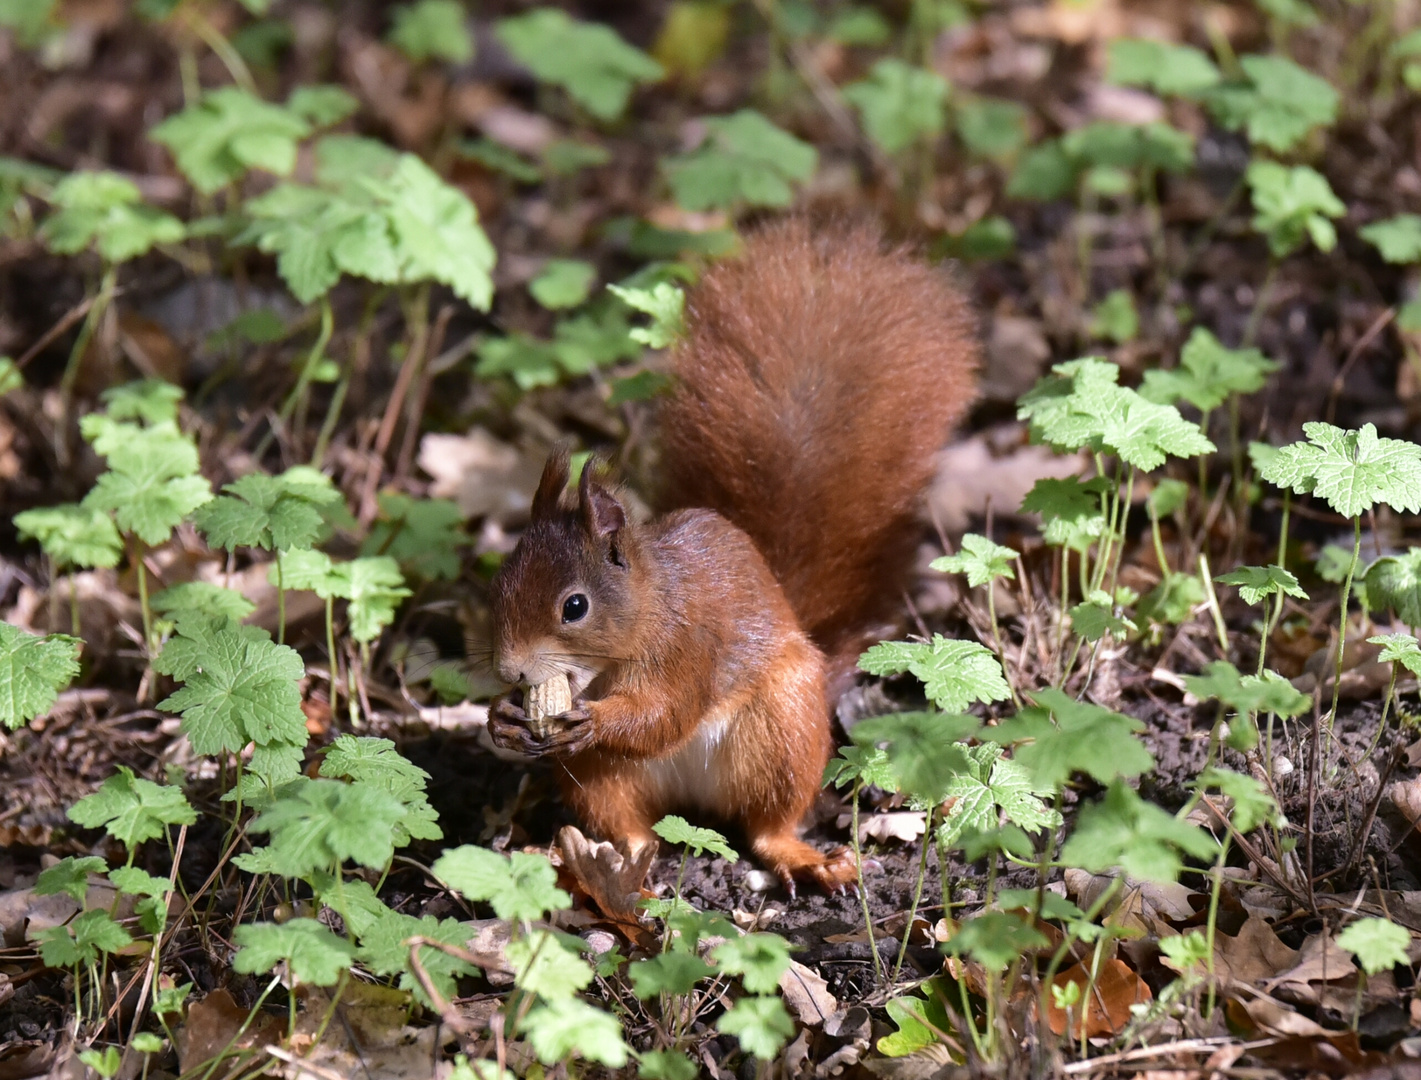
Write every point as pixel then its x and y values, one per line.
pixel 1126 832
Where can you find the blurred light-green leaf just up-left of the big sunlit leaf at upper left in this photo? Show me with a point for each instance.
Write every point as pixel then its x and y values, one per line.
pixel 227 133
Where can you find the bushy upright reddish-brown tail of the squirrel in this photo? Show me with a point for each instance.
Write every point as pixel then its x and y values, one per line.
pixel 819 376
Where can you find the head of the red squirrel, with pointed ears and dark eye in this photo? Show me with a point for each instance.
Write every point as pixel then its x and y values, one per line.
pixel 562 602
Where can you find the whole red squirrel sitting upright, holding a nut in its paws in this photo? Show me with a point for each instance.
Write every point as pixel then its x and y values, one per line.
pixel 819 374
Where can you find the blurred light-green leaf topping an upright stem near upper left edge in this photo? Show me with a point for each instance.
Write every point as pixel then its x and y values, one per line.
pixel 106 211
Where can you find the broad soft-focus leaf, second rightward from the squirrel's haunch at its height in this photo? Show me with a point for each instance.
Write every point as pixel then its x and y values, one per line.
pixel 1085 738
